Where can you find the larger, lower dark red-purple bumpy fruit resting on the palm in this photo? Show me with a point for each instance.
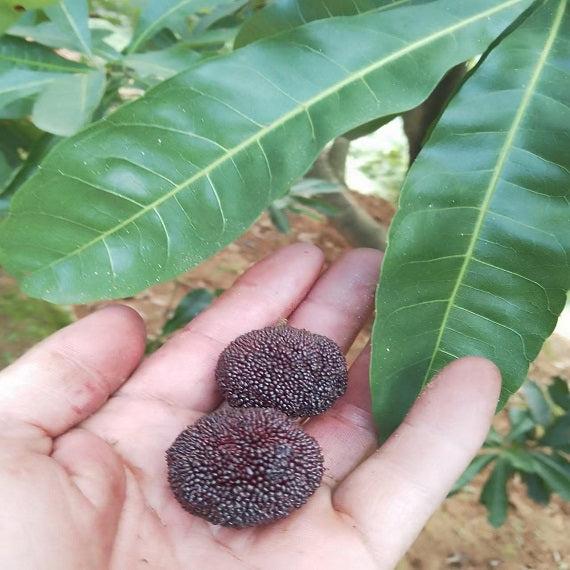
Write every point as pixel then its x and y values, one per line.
pixel 244 467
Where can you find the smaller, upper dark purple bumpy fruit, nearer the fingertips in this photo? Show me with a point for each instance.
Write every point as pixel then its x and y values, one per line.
pixel 292 370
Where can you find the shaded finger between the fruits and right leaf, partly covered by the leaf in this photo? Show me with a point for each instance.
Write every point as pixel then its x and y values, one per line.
pixel 347 432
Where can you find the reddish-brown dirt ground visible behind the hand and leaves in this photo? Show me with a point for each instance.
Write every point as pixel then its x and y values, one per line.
pixel 458 535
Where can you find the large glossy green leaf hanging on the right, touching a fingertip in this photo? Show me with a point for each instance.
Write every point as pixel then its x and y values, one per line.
pixel 478 254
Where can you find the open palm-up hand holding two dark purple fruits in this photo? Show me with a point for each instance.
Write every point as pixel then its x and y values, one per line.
pixel 84 426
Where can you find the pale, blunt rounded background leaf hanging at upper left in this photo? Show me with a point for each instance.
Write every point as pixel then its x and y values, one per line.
pixel 68 102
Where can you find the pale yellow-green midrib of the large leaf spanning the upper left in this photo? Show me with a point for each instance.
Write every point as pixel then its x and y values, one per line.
pixel 301 108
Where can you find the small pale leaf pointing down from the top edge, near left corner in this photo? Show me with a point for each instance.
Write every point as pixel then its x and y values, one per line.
pixel 72 19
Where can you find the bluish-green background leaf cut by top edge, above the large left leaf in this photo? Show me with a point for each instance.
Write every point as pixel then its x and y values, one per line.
pixel 158 14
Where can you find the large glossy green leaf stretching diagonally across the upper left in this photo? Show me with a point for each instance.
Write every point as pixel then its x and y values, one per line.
pixel 168 180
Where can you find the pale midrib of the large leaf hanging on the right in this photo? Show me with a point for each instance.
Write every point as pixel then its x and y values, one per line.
pixel 525 101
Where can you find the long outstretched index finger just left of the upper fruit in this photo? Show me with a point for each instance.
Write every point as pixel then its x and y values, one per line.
pixel 181 373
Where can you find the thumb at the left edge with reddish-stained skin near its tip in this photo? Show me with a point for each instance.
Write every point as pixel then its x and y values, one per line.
pixel 68 376
